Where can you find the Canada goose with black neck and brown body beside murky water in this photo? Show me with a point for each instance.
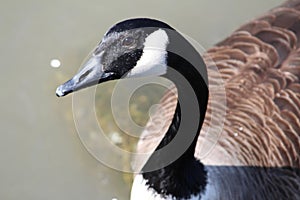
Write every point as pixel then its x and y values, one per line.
pixel 257 154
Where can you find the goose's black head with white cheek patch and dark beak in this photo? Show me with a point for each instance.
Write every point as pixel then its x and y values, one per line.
pixel 131 48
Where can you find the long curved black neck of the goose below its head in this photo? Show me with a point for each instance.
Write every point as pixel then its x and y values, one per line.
pixel 186 175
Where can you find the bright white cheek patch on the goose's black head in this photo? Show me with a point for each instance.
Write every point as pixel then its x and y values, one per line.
pixel 153 60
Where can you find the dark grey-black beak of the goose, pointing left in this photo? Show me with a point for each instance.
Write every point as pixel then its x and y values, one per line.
pixel 91 74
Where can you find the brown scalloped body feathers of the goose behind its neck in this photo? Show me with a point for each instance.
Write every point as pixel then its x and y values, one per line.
pixel 260 67
